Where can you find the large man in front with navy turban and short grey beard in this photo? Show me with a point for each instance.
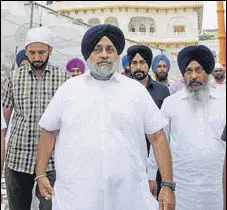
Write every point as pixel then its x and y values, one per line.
pixel 104 129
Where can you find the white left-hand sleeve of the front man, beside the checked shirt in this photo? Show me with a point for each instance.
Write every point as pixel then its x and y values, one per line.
pixel 51 118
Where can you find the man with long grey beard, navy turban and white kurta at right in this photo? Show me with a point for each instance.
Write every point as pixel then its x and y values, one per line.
pixel 196 116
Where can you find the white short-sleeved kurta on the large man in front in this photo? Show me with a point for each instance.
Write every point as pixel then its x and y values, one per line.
pixel 101 148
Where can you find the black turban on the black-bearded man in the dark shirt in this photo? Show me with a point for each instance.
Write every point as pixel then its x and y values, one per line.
pixel 144 52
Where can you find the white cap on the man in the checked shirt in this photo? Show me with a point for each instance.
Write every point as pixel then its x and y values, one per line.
pixel 40 34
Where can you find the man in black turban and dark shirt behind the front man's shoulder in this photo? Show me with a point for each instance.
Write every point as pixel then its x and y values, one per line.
pixel 140 59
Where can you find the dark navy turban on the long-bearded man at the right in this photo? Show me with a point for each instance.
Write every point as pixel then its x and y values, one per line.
pixel 199 53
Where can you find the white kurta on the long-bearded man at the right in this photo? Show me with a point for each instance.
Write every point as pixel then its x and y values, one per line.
pixel 197 150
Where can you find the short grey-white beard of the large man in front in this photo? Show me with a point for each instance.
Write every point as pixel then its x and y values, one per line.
pixel 103 72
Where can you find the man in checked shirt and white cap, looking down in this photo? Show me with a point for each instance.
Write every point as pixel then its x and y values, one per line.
pixel 28 91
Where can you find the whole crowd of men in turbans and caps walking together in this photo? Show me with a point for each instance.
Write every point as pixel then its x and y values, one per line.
pixel 96 139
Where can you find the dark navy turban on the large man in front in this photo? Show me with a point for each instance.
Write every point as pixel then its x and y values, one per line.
pixel 94 34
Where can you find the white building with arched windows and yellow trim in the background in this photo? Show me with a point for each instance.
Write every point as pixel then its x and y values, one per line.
pixel 170 25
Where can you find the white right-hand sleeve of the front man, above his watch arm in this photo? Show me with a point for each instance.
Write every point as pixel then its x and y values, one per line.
pixel 153 118
